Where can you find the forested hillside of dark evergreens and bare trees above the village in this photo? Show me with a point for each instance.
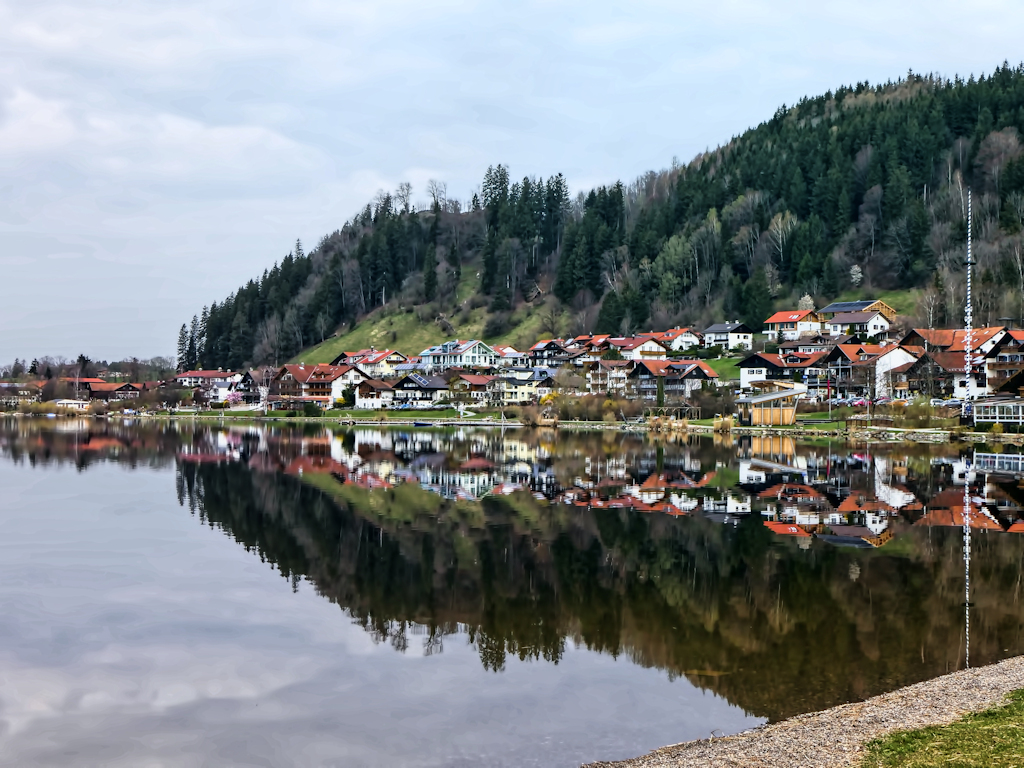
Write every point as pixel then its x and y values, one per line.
pixel 860 190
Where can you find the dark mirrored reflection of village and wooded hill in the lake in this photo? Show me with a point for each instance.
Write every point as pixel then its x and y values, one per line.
pixel 522 543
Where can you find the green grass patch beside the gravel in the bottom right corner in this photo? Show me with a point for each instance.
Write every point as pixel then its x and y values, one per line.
pixel 994 739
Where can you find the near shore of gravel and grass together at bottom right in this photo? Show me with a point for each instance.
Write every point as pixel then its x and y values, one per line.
pixel 885 731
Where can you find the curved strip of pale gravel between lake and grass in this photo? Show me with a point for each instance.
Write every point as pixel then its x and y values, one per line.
pixel 835 739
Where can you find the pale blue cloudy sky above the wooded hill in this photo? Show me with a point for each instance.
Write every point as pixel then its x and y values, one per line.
pixel 154 156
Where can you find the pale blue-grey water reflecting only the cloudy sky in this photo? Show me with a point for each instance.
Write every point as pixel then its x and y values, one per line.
pixel 132 635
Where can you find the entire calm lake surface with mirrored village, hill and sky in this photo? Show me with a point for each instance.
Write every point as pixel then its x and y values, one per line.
pixel 183 595
